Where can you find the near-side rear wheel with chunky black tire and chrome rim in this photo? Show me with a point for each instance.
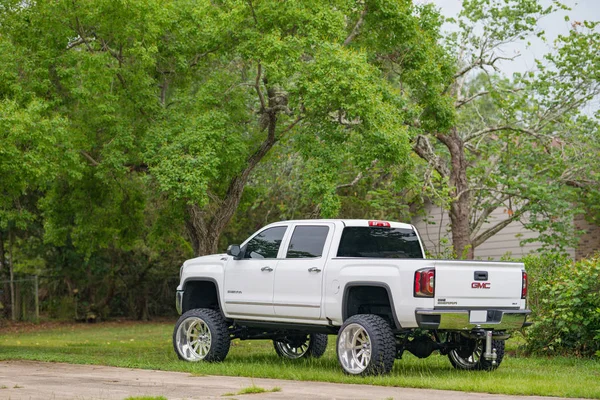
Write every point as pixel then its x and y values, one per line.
pixel 366 345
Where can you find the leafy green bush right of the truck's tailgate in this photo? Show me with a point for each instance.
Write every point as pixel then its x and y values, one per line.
pixel 565 299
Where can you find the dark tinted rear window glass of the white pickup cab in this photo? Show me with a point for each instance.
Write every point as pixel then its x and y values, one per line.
pixel 379 243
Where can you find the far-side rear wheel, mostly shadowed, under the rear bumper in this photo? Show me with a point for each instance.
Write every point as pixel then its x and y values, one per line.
pixel 469 356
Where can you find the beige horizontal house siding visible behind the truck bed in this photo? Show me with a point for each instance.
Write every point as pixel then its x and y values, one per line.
pixel 434 230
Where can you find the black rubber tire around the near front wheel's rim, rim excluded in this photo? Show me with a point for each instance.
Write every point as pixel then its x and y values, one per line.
pixel 219 331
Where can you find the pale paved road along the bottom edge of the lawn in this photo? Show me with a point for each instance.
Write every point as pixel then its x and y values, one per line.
pixel 43 381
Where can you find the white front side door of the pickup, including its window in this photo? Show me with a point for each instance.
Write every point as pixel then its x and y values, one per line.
pixel 249 281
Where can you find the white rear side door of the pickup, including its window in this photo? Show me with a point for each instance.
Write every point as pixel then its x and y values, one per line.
pixel 298 289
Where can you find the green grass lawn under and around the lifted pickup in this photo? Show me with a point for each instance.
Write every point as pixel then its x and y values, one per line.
pixel 148 345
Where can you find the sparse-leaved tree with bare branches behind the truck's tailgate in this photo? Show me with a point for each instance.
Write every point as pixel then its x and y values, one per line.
pixel 515 143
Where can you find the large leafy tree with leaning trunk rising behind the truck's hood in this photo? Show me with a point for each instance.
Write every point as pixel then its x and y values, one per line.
pixel 305 72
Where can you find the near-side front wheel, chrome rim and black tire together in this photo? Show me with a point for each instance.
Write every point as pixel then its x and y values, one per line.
pixel 201 334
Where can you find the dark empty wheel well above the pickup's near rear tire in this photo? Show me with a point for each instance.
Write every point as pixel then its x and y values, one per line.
pixel 369 300
